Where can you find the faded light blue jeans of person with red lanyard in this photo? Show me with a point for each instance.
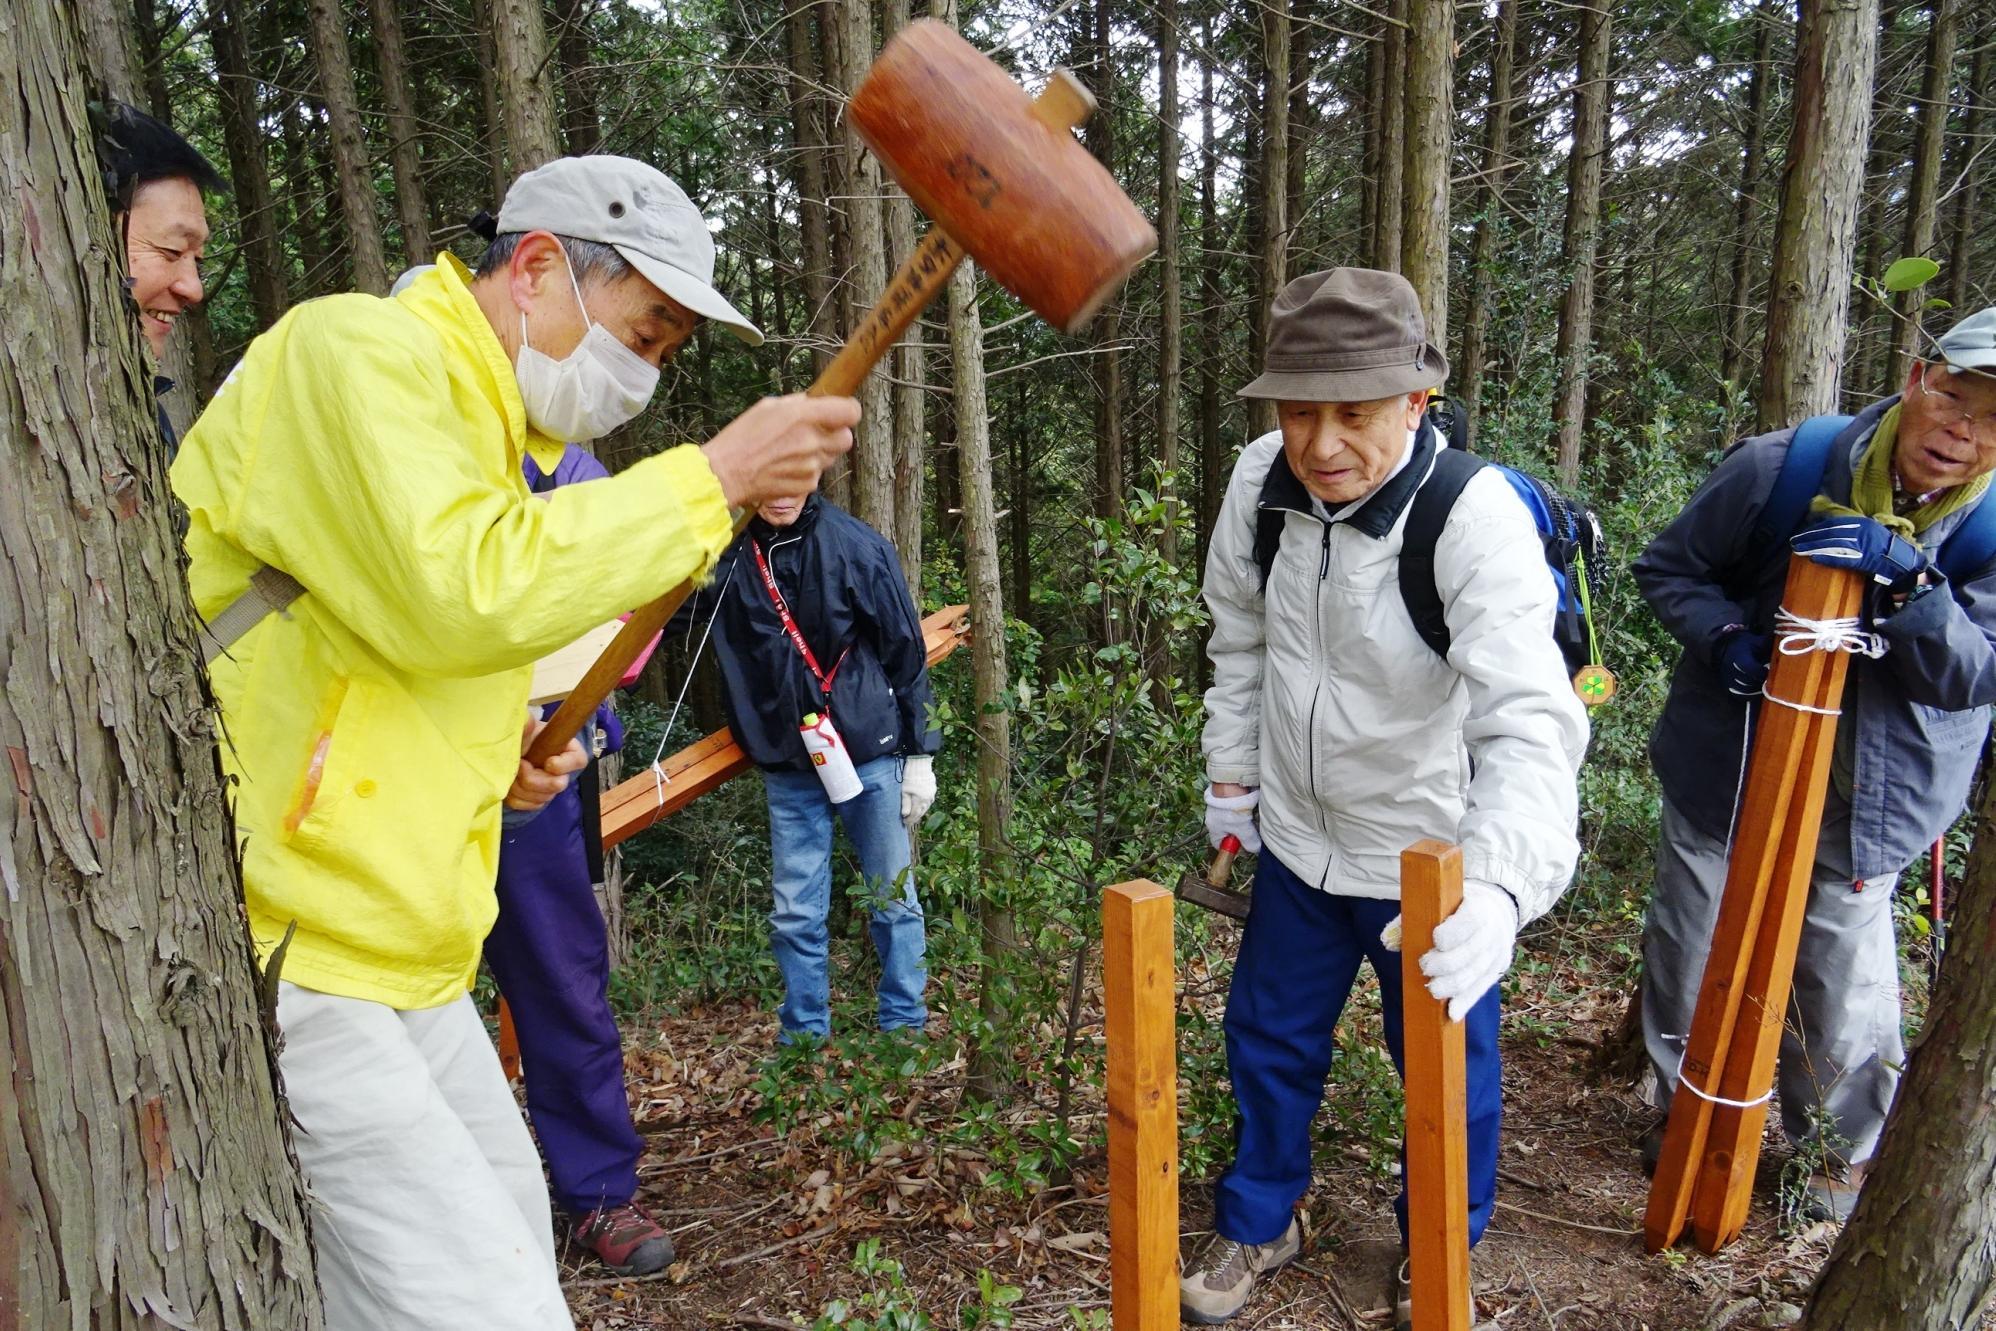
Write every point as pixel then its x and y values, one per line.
pixel 801 853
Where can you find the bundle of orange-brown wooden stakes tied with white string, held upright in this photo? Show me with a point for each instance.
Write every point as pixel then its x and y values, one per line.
pixel 1720 1110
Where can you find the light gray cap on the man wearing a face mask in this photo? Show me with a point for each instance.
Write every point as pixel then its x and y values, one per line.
pixel 636 211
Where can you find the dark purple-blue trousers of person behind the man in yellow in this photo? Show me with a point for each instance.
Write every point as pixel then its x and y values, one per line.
pixel 550 955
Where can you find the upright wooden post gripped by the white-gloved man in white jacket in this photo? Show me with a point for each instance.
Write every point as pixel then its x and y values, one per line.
pixel 1438 1099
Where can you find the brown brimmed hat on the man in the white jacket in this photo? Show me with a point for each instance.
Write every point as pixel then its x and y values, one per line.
pixel 1348 334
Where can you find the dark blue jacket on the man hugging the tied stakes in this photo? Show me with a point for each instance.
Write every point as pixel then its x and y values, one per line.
pixel 1913 721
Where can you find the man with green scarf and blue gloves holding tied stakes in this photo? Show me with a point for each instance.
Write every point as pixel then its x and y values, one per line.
pixel 1899 482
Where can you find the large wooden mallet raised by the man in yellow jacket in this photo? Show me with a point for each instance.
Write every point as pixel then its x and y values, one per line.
pixel 1005 183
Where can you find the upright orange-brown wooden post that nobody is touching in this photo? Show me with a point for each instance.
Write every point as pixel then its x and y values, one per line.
pixel 1143 1091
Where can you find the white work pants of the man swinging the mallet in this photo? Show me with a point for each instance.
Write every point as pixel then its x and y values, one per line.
pixel 430 1210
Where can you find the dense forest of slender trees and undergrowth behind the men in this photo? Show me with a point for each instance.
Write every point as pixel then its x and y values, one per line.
pixel 1640 234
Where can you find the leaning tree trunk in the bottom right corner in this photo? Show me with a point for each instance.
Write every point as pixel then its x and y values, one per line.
pixel 1919 1250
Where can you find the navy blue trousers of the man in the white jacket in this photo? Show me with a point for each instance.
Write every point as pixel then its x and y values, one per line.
pixel 1294 973
